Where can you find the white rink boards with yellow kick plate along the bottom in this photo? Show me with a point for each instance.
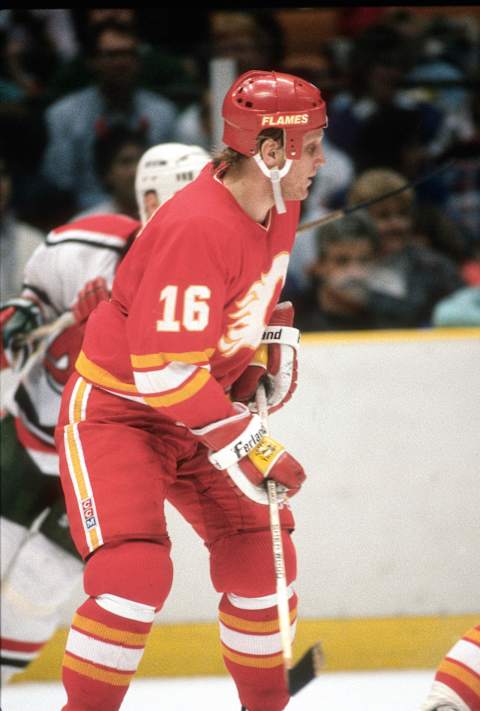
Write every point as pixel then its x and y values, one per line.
pixel 387 426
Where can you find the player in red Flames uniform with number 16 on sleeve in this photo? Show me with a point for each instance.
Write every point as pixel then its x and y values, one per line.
pixel 151 405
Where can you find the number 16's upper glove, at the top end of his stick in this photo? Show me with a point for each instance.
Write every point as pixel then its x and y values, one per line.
pixel 274 362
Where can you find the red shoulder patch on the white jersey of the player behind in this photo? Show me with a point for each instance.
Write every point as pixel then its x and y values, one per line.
pixel 113 225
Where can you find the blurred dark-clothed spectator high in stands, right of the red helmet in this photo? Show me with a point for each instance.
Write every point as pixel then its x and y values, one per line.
pixel 373 121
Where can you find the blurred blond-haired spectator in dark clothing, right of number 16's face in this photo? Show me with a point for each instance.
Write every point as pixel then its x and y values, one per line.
pixel 409 278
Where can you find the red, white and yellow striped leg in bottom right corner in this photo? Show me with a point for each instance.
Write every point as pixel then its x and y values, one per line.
pixel 456 686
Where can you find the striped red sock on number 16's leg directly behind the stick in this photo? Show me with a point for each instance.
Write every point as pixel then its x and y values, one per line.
pixel 252 649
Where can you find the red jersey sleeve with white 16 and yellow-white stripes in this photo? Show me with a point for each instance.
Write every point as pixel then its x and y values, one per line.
pixel 175 321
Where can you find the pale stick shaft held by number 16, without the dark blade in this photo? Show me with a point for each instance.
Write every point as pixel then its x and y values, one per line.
pixel 277 549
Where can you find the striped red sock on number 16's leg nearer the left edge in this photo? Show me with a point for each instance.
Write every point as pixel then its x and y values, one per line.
pixel 105 644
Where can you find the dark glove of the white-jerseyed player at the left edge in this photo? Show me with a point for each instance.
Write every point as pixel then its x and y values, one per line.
pixel 18 318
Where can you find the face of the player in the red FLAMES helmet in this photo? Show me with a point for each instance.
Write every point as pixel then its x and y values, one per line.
pixel 296 184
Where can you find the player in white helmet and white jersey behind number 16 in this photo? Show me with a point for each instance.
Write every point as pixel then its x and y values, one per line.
pixel 73 270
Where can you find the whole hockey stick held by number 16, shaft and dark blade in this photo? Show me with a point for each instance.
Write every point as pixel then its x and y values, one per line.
pixel 312 661
